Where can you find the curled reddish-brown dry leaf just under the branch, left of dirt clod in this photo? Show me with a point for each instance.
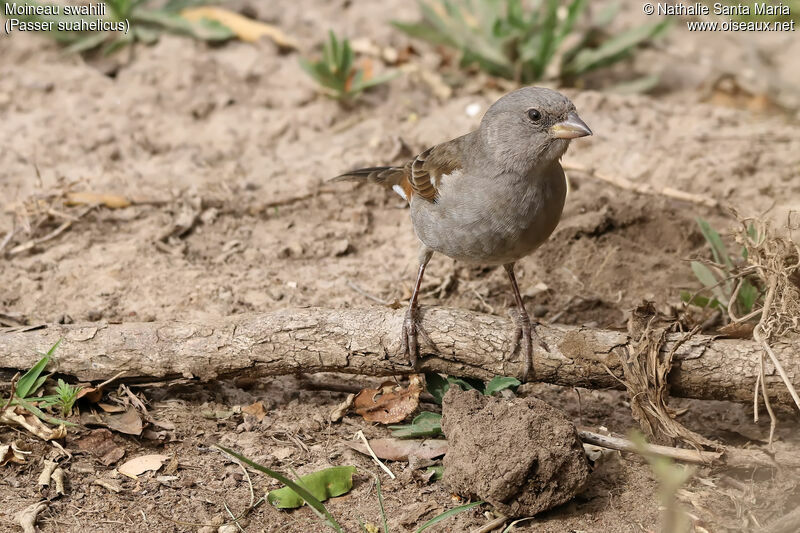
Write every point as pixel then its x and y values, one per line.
pixel 390 403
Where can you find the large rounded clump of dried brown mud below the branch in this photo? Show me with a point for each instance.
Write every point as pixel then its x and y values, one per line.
pixel 520 455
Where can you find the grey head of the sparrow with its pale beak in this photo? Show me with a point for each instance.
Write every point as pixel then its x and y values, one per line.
pixel 530 127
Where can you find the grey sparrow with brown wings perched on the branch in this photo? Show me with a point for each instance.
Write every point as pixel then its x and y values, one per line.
pixel 490 197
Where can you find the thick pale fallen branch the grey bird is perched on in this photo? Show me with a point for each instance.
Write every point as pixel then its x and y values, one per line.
pixel 366 341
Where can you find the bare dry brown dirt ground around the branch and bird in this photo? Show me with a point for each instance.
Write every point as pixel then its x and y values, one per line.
pixel 236 138
